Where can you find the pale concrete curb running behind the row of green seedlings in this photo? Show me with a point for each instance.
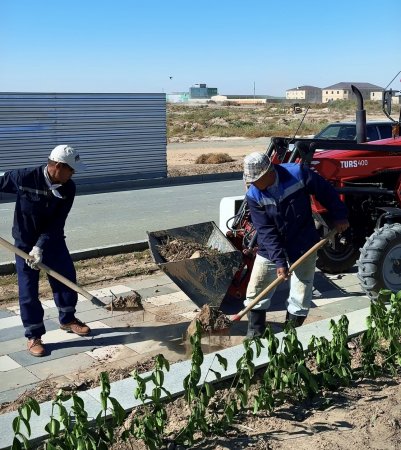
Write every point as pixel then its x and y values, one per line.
pixel 122 390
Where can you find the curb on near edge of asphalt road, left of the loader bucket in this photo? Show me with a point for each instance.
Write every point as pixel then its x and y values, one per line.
pixel 8 268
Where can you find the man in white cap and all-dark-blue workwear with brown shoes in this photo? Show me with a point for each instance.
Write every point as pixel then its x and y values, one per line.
pixel 45 195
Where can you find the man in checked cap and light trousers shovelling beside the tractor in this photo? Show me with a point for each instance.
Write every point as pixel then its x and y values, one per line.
pixel 279 203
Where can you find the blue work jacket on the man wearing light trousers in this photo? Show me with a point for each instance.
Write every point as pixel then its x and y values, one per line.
pixel 284 222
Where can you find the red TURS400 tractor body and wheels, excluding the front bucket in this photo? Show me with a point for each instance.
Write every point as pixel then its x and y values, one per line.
pixel 368 177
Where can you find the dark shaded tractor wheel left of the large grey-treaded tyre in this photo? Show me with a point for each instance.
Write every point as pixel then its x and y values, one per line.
pixel 338 258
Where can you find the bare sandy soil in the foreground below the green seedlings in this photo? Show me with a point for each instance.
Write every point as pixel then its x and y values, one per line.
pixel 364 415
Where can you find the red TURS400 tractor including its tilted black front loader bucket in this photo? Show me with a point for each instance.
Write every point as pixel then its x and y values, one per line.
pixel 368 177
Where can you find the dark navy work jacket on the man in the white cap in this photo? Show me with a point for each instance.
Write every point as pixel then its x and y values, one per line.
pixel 39 215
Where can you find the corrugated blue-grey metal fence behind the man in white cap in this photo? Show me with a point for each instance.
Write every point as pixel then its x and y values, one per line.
pixel 119 136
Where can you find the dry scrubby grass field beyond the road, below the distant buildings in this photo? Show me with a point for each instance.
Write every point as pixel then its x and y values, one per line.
pixel 189 122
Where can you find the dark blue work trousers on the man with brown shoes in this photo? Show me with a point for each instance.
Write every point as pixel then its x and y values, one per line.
pixel 58 258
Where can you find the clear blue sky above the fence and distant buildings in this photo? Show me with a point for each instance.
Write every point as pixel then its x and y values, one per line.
pixel 240 47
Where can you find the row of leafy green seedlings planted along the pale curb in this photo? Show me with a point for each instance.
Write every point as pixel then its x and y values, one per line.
pixel 291 373
